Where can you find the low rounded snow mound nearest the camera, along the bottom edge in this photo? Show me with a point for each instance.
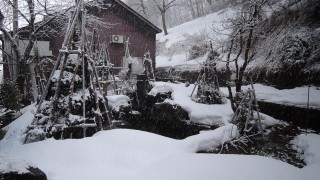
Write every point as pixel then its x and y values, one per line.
pixel 222 167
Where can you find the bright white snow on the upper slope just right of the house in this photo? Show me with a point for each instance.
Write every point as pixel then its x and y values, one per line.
pixel 201 27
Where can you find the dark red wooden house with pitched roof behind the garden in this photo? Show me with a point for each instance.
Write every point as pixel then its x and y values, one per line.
pixel 123 22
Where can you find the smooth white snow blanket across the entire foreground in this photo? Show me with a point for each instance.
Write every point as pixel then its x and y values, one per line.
pixel 130 154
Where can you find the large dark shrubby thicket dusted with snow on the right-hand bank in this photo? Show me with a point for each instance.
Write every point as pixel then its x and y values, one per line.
pixel 288 50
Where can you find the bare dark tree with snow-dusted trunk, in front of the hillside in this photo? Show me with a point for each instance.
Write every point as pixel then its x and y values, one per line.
pixel 244 26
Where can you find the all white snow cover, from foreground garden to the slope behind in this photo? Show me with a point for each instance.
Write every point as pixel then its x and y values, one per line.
pixel 130 154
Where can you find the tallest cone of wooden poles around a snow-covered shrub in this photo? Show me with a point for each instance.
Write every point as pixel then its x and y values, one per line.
pixel 73 96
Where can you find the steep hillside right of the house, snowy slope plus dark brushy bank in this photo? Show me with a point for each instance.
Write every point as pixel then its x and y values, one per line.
pixel 286 50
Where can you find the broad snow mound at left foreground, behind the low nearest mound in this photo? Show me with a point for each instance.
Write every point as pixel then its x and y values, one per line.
pixel 114 154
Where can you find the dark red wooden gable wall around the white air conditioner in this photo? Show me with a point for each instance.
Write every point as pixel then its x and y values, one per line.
pixel 125 23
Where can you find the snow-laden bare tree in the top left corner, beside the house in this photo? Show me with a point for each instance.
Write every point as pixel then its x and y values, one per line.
pixel 37 18
